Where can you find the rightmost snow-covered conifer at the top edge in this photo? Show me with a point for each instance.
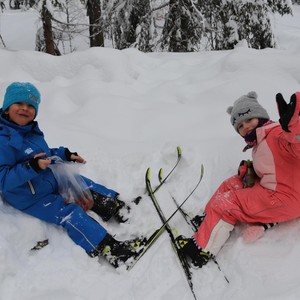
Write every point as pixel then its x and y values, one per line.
pixel 231 21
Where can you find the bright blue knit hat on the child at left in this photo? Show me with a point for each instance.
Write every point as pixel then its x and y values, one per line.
pixel 22 92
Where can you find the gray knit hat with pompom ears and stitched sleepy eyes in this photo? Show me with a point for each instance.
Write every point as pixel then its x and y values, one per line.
pixel 246 107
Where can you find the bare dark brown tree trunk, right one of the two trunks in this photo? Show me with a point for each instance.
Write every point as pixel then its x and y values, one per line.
pixel 94 14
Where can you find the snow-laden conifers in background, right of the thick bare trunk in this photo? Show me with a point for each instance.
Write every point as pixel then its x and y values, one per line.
pixel 193 25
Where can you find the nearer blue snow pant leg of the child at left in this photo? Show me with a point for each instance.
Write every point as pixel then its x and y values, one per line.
pixel 81 228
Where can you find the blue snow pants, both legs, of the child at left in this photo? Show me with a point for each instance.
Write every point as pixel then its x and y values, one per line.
pixel 51 208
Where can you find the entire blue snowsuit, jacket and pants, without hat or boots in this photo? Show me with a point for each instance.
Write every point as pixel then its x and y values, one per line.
pixel 37 193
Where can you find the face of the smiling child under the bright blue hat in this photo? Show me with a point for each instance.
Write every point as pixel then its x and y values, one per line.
pixel 21 113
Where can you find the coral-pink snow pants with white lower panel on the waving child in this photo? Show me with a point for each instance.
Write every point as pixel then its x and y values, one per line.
pixel 231 203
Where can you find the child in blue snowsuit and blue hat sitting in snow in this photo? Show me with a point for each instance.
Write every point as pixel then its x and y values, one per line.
pixel 28 184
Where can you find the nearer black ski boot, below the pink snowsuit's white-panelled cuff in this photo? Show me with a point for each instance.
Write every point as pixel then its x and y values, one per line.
pixel 189 247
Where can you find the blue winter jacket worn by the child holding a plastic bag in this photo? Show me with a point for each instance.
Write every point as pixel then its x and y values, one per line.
pixel 20 185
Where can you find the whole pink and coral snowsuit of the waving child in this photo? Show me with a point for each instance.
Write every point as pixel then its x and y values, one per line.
pixel 275 197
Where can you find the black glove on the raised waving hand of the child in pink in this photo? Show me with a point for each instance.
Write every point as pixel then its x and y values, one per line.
pixel 286 111
